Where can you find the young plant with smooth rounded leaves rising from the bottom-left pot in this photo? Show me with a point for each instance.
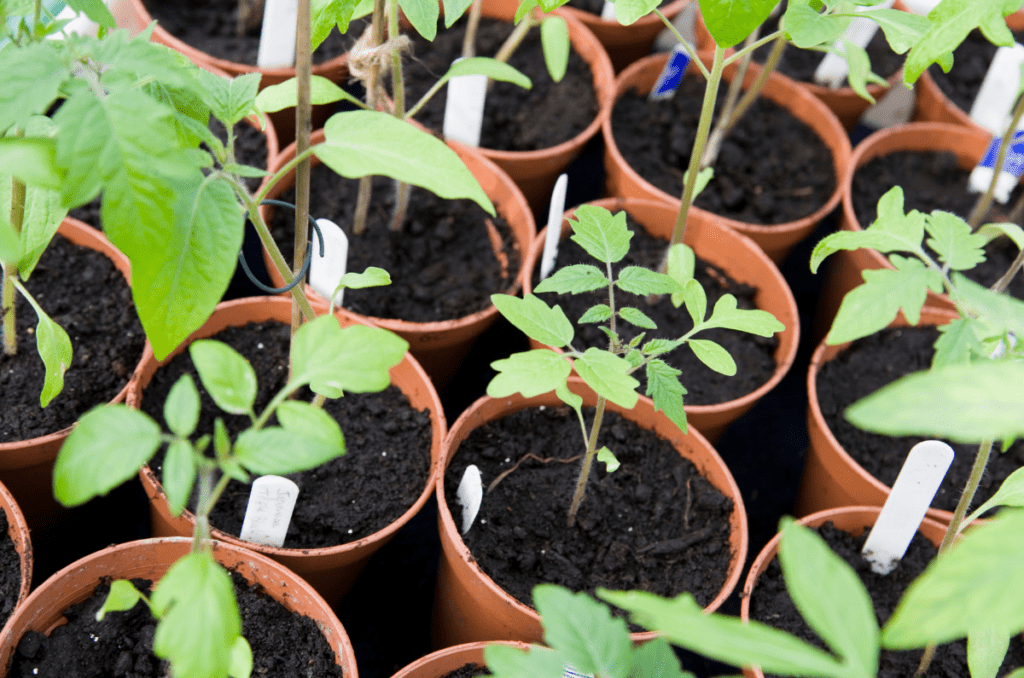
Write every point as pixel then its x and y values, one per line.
pixel 199 628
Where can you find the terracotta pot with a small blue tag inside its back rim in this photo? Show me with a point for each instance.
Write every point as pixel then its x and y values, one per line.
pixel 776 240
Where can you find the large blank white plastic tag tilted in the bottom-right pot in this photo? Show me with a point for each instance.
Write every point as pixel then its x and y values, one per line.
pixel 909 501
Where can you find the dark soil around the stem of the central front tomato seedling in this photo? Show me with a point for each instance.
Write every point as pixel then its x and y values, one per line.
pixel 656 524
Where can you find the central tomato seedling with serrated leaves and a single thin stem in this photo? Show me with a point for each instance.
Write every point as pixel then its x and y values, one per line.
pixel 607 238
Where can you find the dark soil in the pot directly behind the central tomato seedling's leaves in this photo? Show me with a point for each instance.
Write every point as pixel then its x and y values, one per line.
pixel 754 355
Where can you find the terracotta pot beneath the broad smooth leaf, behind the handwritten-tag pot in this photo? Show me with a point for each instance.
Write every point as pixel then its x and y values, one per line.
pixel 440 347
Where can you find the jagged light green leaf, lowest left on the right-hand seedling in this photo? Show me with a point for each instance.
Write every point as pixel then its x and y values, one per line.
pixel 872 307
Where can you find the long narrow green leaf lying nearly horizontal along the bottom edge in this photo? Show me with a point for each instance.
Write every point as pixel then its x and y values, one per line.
pixel 728 640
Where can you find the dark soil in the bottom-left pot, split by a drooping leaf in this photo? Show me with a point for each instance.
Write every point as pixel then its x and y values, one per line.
pixel 284 645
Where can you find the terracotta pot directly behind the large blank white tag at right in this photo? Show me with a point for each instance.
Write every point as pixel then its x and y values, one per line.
pixel 832 479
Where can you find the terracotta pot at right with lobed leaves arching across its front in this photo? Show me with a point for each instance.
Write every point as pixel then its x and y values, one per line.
pixel 844 268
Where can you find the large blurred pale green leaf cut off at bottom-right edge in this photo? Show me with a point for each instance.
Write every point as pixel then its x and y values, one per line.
pixel 979 583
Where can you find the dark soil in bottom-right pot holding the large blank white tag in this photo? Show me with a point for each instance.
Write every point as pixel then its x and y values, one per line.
pixel 772 605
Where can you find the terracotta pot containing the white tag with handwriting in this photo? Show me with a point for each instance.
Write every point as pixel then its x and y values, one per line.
pixel 331 571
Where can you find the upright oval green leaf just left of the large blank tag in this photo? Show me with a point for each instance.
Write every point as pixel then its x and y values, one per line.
pixel 844 619
